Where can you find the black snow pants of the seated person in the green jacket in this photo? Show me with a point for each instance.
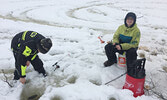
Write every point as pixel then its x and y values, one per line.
pixel 131 54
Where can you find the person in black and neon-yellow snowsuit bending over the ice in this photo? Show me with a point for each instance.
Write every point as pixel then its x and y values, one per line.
pixel 25 47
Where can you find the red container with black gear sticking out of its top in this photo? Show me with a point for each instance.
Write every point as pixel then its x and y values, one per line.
pixel 135 77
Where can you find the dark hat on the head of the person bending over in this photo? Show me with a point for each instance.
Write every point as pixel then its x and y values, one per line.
pixel 44 45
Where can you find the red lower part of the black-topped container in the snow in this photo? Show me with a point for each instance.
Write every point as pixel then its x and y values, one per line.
pixel 135 85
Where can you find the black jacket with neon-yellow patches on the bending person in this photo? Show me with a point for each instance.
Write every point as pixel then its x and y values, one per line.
pixel 24 45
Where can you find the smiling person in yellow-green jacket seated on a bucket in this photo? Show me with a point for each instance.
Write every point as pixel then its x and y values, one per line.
pixel 125 40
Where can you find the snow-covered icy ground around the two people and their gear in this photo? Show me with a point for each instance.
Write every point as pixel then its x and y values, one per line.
pixel 73 26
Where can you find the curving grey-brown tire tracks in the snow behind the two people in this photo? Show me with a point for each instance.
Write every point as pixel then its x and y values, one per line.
pixel 24 18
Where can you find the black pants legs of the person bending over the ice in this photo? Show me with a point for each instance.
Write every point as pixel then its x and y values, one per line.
pixel 36 63
